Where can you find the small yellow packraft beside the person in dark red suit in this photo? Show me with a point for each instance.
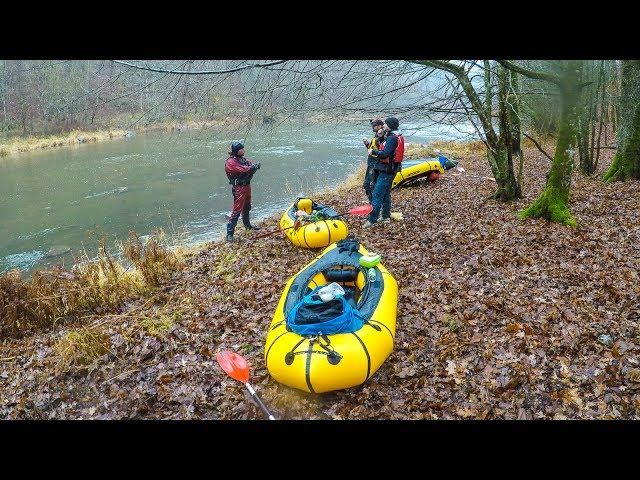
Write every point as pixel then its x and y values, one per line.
pixel 313 235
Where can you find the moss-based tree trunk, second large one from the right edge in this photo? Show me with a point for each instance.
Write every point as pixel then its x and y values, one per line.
pixel 553 202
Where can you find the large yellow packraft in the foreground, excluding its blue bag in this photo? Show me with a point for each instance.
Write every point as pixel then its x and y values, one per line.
pixel 324 363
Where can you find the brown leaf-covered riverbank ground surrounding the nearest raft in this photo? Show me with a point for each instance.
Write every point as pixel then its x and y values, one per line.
pixel 497 318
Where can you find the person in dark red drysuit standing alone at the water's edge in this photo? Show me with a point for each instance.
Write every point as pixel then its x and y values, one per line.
pixel 239 171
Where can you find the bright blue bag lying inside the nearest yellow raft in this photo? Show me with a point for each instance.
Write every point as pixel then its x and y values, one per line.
pixel 312 316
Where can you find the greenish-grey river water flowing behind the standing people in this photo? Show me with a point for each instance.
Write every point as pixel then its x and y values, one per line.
pixel 55 203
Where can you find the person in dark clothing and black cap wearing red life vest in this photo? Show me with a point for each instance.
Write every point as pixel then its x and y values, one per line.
pixel 386 170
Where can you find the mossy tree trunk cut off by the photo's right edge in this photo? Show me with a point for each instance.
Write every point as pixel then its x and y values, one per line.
pixel 626 161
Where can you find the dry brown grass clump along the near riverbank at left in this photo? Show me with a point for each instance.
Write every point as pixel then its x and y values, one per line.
pixel 97 287
